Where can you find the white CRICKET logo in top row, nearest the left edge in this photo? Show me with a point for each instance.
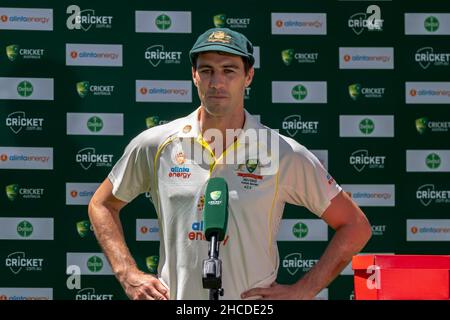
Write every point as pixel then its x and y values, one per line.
pixel 84 19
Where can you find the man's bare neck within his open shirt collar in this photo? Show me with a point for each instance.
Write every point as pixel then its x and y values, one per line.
pixel 207 121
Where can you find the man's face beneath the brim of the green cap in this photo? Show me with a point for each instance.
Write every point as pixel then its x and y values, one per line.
pixel 221 81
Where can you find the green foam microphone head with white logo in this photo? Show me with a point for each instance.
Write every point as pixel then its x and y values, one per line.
pixel 215 211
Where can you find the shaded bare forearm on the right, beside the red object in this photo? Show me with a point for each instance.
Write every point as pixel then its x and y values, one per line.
pixel 336 257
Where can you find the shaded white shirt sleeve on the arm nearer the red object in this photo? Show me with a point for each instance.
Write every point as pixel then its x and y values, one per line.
pixel 305 182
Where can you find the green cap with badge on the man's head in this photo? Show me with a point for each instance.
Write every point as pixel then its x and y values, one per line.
pixel 226 40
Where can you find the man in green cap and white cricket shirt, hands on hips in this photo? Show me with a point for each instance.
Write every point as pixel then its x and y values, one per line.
pixel 163 161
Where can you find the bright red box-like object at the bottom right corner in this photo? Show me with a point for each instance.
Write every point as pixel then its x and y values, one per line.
pixel 401 277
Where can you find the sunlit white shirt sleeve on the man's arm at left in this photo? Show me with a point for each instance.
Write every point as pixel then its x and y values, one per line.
pixel 132 174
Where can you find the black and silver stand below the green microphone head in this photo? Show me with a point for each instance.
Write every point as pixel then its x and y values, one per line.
pixel 212 270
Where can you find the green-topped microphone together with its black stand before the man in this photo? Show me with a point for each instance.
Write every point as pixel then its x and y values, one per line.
pixel 215 220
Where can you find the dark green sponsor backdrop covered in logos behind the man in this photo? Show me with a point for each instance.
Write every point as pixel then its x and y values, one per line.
pixel 365 85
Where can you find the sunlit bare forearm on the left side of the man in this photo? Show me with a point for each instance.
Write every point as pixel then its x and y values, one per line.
pixel 109 233
